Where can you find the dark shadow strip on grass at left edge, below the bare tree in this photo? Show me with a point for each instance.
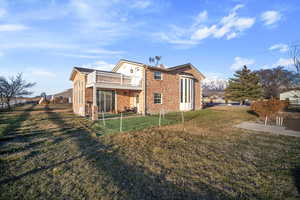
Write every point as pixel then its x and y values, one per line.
pixel 17 122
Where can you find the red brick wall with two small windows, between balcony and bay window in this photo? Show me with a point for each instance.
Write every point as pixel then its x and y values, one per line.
pixel 168 87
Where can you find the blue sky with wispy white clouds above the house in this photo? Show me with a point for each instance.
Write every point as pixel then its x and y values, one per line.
pixel 45 39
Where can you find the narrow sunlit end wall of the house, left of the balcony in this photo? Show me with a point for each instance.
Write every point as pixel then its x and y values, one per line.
pixel 79 88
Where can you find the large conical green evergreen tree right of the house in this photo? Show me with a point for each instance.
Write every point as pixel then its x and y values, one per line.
pixel 244 85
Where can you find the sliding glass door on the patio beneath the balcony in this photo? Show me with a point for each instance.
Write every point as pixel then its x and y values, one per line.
pixel 106 100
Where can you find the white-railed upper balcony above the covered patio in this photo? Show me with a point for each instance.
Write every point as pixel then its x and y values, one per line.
pixel 113 81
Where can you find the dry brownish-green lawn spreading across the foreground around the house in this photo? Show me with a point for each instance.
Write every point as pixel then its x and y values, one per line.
pixel 52 154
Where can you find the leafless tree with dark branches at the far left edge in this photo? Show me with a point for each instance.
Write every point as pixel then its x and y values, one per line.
pixel 14 87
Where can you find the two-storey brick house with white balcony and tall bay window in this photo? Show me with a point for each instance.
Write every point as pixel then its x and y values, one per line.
pixel 136 86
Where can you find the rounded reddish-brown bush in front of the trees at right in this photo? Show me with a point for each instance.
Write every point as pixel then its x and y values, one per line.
pixel 269 108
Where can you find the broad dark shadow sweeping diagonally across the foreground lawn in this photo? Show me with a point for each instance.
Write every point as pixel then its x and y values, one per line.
pixel 134 182
